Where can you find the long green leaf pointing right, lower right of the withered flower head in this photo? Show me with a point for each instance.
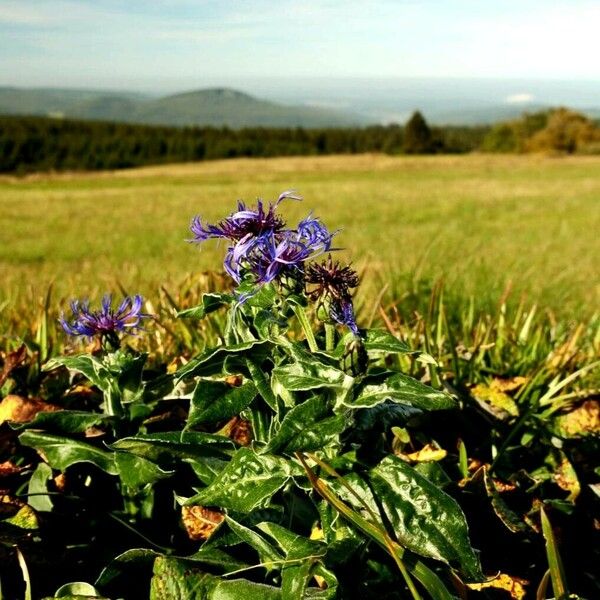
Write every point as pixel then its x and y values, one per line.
pixel 405 390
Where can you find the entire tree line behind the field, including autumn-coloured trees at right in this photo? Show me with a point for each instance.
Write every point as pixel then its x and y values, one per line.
pixel 29 144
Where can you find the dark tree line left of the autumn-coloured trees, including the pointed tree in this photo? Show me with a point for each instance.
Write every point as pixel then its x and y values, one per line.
pixel 29 144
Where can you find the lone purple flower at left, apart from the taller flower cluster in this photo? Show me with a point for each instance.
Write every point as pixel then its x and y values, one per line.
pixel 105 322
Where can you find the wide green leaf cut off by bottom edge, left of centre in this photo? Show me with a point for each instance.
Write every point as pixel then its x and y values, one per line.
pixel 176 579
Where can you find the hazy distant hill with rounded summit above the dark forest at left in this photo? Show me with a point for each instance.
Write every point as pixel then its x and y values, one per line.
pixel 216 106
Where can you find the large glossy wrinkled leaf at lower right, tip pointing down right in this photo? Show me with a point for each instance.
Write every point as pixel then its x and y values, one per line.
pixel 425 519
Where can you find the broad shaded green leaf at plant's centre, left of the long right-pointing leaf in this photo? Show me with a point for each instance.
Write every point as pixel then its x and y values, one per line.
pixel 308 426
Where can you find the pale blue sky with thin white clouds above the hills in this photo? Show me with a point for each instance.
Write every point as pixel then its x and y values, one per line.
pixel 168 45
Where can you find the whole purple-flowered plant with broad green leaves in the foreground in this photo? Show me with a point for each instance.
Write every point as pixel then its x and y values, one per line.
pixel 315 450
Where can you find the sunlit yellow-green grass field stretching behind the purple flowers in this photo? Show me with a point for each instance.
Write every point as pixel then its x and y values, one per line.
pixel 477 222
